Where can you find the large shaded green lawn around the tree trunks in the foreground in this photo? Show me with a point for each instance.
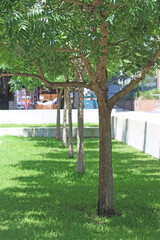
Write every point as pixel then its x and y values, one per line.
pixel 42 197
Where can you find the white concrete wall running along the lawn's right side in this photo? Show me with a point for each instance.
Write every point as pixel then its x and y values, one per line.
pixel 141 131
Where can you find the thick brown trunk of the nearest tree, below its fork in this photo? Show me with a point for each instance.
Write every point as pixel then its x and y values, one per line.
pixel 105 195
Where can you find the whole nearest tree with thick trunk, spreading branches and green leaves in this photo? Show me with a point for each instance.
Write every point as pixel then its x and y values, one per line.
pixel 102 33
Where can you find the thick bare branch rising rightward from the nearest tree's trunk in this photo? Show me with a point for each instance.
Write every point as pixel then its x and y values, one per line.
pixel 135 81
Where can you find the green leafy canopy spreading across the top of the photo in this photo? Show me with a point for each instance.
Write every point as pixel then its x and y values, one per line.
pixel 33 32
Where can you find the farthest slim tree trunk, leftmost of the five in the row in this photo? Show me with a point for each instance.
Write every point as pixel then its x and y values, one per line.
pixel 58 130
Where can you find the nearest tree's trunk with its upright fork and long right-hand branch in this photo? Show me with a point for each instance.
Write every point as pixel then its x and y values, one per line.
pixel 99 84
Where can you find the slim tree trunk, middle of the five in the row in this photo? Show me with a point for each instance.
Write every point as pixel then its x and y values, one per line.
pixel 70 135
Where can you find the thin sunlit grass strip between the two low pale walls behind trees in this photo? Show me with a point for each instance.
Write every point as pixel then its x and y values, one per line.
pixel 43 125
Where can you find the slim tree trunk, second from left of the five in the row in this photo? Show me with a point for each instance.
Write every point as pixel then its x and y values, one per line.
pixel 64 135
